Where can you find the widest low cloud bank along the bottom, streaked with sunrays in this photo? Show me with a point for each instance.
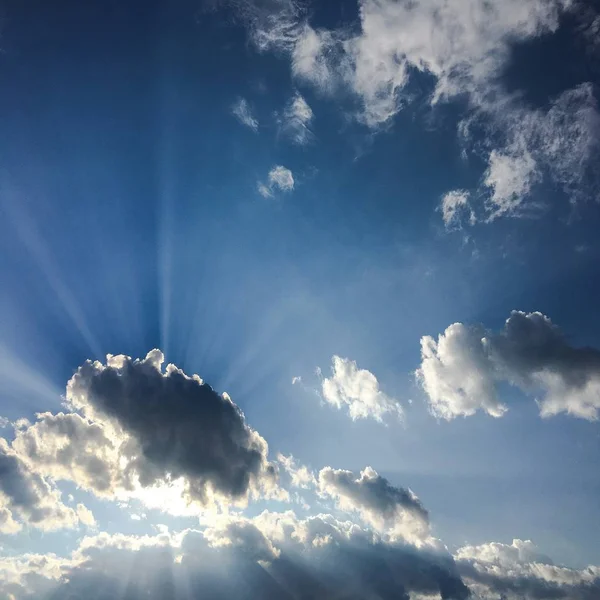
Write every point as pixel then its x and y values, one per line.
pixel 275 555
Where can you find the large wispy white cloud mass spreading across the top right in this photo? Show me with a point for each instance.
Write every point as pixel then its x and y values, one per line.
pixel 465 48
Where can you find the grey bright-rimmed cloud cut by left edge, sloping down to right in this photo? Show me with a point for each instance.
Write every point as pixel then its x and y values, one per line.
pixel 26 498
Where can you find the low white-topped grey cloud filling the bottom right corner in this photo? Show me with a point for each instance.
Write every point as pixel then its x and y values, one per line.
pixel 519 572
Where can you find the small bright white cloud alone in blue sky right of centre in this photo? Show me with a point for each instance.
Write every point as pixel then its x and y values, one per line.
pixel 358 391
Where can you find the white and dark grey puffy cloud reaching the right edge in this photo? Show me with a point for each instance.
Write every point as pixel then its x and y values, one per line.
pixel 459 372
